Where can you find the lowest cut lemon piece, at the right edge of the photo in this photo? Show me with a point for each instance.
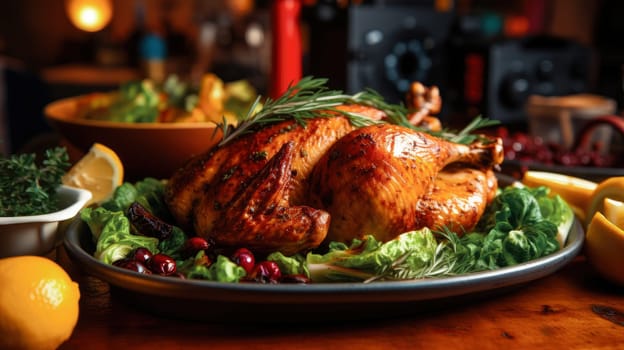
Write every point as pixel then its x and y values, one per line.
pixel 604 244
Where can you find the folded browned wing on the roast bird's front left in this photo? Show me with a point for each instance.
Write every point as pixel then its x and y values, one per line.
pixel 262 216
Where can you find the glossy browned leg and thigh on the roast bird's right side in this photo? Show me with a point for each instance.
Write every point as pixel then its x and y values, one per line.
pixel 372 180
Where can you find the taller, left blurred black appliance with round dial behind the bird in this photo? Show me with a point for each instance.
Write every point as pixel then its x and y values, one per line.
pixel 381 45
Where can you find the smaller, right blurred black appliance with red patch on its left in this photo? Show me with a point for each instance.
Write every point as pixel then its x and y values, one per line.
pixel 495 79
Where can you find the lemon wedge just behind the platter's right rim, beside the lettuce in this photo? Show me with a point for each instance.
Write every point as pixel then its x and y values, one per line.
pixel 575 191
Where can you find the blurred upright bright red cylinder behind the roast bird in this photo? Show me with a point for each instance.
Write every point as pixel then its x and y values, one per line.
pixel 287 52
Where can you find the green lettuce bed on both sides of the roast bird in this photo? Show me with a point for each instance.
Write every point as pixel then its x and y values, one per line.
pixel 521 224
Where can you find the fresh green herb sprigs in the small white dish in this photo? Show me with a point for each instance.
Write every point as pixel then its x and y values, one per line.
pixel 29 188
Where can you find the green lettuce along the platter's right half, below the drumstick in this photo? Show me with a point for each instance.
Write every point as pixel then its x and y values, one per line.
pixel 521 224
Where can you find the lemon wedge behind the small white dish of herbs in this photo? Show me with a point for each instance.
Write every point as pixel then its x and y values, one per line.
pixel 100 171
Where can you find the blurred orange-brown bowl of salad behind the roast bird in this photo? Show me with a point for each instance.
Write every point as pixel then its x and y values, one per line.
pixel 153 128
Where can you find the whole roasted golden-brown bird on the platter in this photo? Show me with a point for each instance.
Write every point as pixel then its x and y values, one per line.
pixel 290 187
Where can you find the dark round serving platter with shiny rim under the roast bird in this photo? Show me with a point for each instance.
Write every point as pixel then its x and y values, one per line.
pixel 195 299
